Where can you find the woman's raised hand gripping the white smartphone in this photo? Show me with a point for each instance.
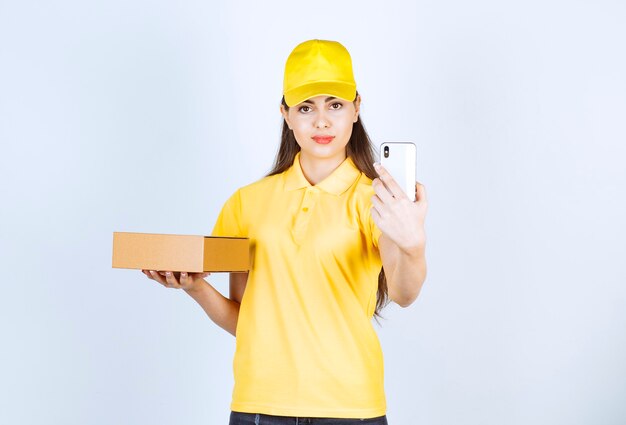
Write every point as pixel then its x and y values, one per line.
pixel 397 216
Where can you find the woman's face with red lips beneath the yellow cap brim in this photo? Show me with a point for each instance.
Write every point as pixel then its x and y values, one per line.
pixel 322 116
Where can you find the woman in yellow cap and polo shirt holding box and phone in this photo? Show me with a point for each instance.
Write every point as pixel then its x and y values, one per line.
pixel 330 242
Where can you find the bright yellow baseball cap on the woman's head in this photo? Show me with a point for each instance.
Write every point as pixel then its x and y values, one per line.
pixel 317 67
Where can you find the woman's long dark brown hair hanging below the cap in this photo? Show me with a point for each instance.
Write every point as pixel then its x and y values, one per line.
pixel 362 152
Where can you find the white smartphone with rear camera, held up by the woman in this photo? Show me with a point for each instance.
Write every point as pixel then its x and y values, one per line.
pixel 400 160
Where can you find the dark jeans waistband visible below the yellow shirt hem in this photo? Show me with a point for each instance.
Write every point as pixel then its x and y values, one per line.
pixel 242 418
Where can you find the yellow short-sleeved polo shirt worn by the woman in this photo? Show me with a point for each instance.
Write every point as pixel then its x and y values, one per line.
pixel 305 344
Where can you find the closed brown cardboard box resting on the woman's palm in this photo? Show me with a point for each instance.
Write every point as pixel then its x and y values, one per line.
pixel 183 253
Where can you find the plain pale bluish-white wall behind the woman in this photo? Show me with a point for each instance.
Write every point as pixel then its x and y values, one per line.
pixel 145 116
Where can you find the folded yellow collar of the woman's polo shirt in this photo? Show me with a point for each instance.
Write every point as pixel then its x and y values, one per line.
pixel 336 183
